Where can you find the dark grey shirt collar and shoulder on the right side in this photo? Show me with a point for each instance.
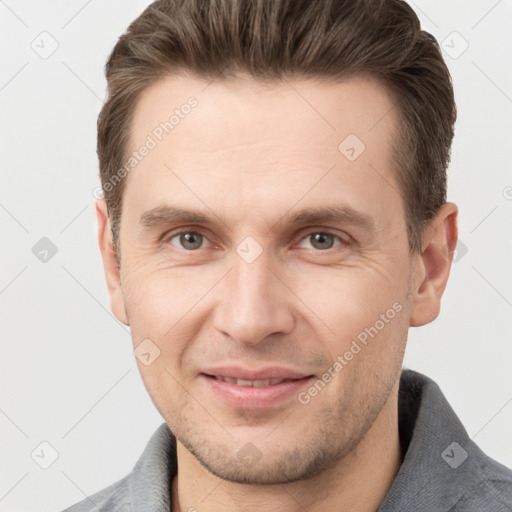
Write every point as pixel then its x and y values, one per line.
pixel 443 468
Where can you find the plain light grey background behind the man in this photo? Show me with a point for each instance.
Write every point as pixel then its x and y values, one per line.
pixel 68 374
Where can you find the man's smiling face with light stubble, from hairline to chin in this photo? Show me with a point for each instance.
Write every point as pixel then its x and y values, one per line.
pixel 253 293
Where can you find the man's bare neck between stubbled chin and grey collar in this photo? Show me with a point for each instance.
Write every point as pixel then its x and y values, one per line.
pixel 360 481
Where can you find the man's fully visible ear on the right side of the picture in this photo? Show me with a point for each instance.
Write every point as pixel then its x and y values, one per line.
pixel 433 265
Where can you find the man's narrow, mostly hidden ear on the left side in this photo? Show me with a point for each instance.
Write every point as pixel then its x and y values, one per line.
pixel 110 263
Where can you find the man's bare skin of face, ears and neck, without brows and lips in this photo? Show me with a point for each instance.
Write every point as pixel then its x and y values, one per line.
pixel 248 156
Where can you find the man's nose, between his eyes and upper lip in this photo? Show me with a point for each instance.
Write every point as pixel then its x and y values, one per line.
pixel 254 303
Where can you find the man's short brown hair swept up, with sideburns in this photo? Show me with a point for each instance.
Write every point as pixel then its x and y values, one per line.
pixel 271 39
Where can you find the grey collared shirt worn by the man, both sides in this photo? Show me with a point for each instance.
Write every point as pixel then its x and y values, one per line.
pixel 443 470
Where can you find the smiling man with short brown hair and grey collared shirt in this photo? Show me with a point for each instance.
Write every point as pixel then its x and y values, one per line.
pixel 274 221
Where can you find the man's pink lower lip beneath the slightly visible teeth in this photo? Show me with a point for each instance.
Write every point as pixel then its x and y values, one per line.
pixel 249 397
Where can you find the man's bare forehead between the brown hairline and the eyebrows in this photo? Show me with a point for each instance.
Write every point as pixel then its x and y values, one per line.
pixel 240 141
